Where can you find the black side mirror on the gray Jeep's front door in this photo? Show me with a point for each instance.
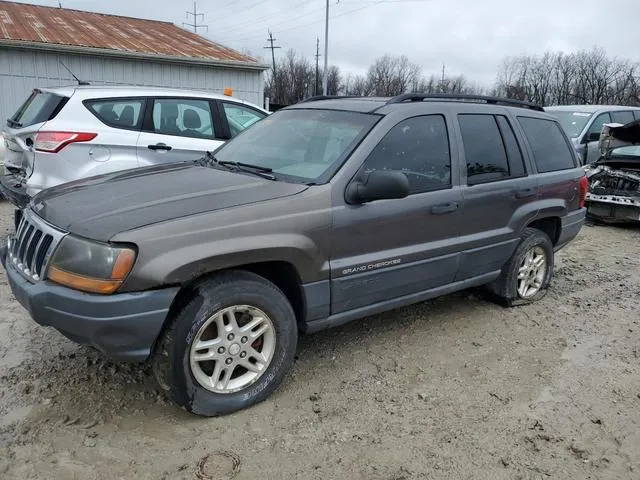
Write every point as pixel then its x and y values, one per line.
pixel 378 185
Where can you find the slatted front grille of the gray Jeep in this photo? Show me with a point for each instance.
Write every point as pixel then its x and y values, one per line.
pixel 32 244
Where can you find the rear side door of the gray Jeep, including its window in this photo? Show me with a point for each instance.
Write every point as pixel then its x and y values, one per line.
pixel 496 192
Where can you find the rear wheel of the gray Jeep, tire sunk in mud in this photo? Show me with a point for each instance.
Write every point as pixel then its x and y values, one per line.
pixel 526 276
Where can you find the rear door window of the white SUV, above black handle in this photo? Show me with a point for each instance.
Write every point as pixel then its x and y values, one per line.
pixel 183 117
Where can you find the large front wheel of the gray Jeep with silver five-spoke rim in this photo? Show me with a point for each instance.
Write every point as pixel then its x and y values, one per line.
pixel 229 347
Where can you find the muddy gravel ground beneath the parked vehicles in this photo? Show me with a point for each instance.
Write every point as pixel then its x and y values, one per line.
pixel 457 388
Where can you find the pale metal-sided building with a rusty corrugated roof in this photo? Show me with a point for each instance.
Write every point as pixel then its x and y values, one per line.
pixel 36 41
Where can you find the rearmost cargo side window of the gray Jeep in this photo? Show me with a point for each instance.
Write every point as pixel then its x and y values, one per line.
pixel 551 152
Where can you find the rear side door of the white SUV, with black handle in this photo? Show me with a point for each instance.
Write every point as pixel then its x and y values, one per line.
pixel 179 129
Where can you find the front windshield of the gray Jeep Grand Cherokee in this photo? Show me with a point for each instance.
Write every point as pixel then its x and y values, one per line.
pixel 308 145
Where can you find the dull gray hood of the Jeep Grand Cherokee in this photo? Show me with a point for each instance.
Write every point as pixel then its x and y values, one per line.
pixel 103 206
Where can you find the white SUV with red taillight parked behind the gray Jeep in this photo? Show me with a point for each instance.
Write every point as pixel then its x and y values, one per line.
pixel 64 134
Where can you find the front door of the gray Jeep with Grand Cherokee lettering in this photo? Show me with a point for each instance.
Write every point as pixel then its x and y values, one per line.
pixel 387 249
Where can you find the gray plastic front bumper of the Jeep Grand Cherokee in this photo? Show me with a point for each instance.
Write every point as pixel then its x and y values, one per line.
pixel 124 326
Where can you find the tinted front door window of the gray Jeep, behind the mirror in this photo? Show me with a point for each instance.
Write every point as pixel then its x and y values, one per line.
pixel 419 148
